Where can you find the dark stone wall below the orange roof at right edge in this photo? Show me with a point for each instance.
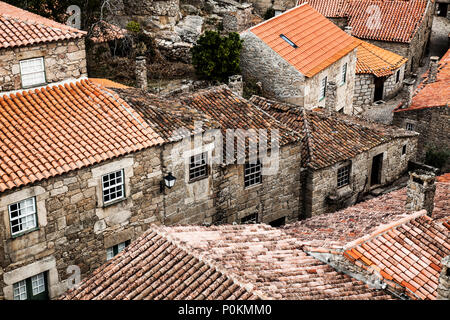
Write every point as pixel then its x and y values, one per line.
pixel 431 123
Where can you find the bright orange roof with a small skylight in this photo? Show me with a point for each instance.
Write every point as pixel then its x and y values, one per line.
pixel 319 41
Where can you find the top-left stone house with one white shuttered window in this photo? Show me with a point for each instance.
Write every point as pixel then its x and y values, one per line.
pixel 44 53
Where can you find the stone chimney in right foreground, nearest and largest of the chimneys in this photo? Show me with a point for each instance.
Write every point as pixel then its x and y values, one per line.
pixel 420 191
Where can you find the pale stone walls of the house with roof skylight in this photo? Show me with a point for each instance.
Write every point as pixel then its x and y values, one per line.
pixel 280 80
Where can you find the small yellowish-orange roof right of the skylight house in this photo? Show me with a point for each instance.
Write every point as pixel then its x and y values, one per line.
pixel 377 61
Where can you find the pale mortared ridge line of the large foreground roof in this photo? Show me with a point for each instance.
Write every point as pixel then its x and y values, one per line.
pixel 249 287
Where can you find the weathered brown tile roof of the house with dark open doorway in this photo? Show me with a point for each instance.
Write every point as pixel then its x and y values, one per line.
pixel 329 139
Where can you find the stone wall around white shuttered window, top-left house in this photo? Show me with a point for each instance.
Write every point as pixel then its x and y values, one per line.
pixel 63 60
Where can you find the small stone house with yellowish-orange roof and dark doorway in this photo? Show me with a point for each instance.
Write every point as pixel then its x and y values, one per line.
pixel 379 74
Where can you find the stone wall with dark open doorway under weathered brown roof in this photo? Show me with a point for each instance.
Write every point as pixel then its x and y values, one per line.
pixel 319 184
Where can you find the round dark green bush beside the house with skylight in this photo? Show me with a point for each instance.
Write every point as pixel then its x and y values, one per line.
pixel 215 57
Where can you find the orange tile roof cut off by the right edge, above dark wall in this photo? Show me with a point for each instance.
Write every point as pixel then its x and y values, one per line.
pixel 435 94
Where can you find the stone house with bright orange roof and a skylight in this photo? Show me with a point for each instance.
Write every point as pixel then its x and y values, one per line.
pixel 302 58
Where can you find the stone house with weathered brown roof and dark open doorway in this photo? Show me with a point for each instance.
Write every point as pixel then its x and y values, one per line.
pixel 344 157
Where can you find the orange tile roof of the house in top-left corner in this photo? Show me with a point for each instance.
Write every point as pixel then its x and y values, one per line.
pixel 21 28
